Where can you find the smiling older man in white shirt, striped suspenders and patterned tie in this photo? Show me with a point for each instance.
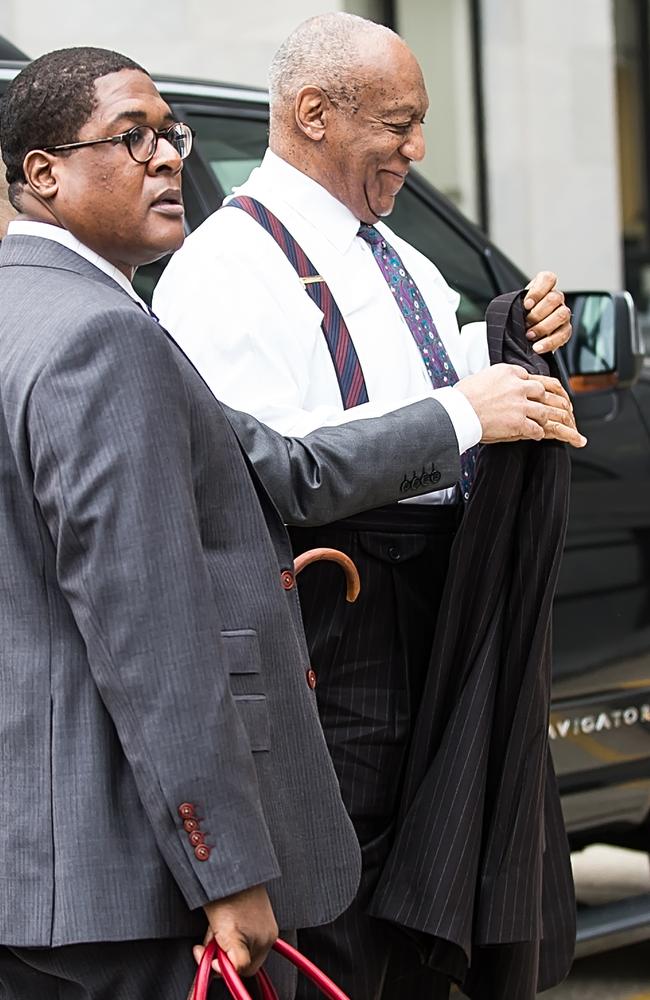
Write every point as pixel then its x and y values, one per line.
pixel 347 105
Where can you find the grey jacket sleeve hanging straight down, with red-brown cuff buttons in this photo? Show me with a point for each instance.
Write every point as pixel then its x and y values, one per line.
pixel 111 450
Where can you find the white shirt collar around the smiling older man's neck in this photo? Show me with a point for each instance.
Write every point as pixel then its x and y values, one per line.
pixel 330 217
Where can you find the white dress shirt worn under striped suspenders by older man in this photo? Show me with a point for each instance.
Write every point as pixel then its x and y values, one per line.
pixel 238 310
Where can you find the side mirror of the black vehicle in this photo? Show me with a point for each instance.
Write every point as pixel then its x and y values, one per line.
pixel 605 350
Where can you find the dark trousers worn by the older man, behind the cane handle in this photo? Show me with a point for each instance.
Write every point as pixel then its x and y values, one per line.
pixel 371 660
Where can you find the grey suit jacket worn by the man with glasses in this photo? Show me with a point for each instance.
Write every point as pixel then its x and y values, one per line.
pixel 149 655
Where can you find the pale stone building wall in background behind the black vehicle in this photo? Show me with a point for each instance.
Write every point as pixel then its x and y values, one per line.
pixel 548 87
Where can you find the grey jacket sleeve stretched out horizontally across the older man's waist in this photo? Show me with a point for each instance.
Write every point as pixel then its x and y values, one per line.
pixel 335 472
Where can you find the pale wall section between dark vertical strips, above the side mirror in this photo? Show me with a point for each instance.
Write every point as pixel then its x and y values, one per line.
pixel 552 152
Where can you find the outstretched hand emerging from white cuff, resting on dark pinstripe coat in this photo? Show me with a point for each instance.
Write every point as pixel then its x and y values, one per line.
pixel 513 405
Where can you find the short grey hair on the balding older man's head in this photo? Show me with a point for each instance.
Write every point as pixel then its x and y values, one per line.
pixel 325 51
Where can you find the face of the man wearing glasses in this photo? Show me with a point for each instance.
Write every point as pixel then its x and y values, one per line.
pixel 130 213
